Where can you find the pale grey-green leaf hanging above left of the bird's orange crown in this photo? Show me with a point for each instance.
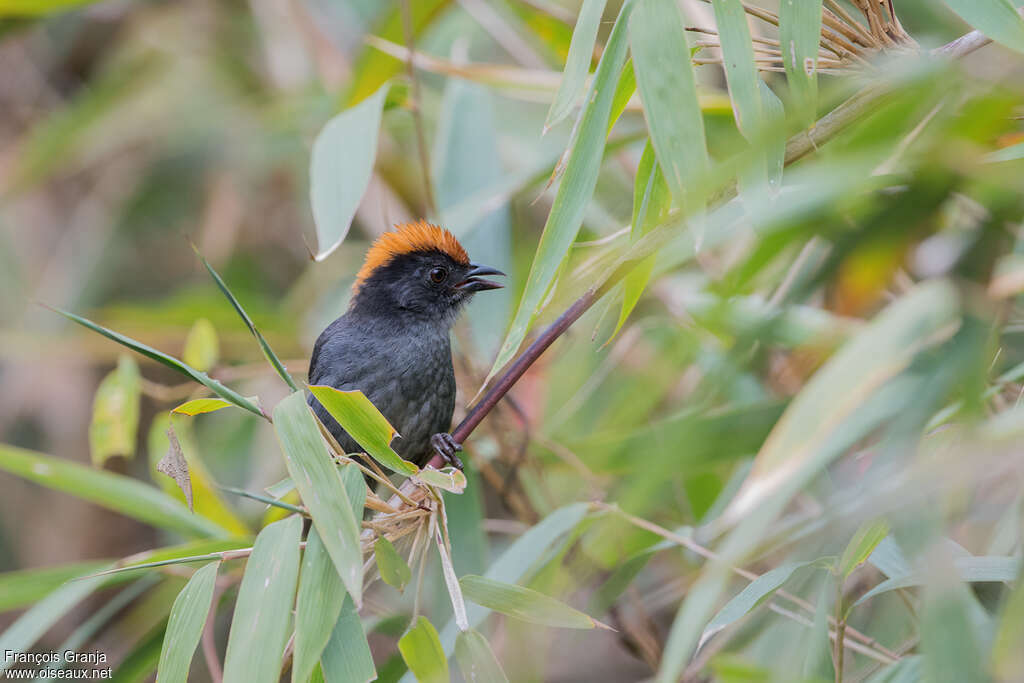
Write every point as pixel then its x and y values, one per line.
pixel 340 167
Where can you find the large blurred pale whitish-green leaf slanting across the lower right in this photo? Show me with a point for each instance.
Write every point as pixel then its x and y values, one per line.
pixel 851 396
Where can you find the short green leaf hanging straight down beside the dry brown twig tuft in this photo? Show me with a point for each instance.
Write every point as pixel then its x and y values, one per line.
pixel 799 33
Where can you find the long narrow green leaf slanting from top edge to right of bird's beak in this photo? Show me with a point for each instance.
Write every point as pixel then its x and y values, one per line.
pixel 576 189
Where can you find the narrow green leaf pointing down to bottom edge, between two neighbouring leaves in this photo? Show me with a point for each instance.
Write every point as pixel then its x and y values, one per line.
pixel 317 609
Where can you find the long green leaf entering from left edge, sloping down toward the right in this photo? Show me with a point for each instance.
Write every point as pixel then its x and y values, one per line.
pixel 113 492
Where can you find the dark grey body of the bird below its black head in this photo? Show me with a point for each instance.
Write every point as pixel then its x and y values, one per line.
pixel 404 368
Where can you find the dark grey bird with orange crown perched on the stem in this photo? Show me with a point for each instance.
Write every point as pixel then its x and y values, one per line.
pixel 394 343
